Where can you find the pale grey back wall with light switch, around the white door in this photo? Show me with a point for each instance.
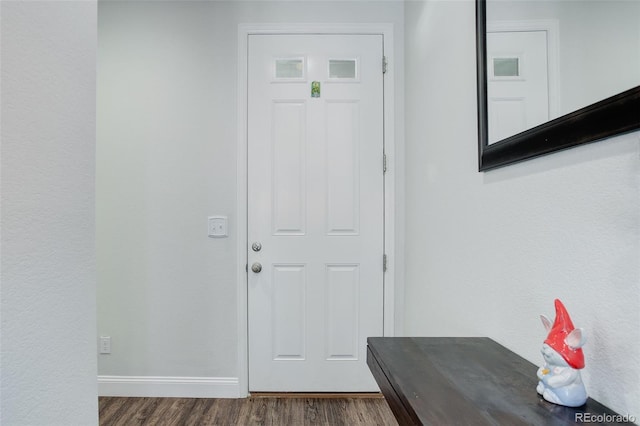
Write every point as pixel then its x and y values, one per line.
pixel 166 159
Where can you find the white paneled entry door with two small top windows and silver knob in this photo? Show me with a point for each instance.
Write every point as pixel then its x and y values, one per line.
pixel 315 210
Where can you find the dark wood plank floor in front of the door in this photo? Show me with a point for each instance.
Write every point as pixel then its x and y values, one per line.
pixel 276 411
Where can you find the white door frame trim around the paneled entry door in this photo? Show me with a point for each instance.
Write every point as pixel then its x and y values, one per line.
pixel 244 30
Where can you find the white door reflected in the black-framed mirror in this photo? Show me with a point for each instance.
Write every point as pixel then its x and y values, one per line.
pixel 517 86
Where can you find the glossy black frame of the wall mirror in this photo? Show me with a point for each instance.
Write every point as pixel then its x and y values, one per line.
pixel 609 117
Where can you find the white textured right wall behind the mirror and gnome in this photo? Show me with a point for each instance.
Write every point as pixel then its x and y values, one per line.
pixel 486 253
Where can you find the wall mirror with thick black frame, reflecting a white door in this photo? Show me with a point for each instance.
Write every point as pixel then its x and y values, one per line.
pixel 553 75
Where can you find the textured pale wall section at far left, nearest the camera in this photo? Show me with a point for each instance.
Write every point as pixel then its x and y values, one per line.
pixel 48 365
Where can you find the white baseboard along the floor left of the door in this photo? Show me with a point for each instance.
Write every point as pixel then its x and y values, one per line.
pixel 169 387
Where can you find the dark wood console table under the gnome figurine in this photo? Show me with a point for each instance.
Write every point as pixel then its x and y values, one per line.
pixel 464 381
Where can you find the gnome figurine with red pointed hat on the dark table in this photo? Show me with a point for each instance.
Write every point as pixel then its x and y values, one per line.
pixel 560 380
